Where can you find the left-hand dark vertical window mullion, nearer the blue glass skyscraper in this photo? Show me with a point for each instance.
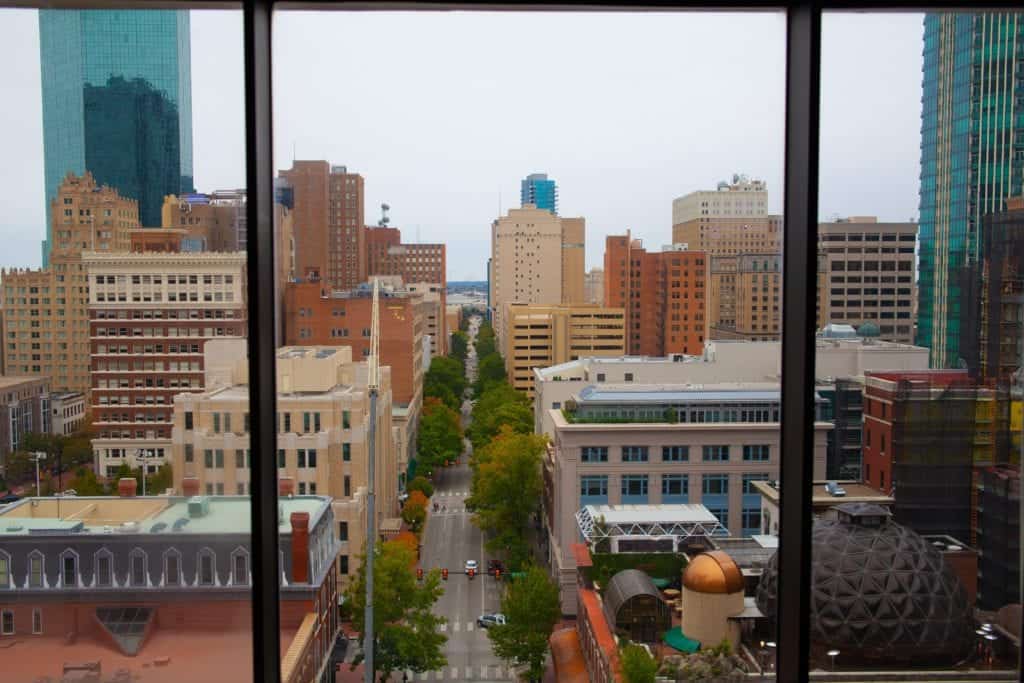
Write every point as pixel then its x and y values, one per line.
pixel 263 385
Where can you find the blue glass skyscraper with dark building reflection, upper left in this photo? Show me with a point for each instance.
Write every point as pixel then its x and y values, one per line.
pixel 117 103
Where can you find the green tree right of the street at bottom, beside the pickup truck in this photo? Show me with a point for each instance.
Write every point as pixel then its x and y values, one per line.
pixel 532 610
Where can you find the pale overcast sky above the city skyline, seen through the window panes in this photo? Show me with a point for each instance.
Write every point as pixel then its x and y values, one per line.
pixel 445 113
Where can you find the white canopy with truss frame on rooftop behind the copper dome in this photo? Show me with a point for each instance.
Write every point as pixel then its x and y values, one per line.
pixel 651 523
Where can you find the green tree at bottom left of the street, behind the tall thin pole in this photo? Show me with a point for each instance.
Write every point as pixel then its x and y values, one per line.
pixel 406 632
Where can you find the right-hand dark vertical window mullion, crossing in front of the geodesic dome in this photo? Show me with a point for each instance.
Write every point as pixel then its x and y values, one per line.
pixel 799 295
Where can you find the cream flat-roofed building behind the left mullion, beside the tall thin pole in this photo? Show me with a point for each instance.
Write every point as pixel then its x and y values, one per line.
pixel 323 407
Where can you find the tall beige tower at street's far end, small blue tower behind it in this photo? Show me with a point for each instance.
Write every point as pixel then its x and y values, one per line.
pixel 536 259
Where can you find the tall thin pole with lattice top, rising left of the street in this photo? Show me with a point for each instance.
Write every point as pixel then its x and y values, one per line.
pixel 373 386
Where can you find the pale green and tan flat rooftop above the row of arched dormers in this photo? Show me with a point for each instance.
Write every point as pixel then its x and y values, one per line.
pixel 145 516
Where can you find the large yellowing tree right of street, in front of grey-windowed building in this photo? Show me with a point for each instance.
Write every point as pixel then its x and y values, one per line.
pixel 506 492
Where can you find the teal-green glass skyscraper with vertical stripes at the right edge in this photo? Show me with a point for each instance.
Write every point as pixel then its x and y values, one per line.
pixel 970 129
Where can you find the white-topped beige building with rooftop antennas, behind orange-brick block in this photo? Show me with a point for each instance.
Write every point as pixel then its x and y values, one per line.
pixel 730 221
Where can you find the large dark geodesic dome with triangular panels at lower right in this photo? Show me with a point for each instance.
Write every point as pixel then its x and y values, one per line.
pixel 879 591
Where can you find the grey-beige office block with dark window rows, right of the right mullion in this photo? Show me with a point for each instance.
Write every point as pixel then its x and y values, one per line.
pixel 870 268
